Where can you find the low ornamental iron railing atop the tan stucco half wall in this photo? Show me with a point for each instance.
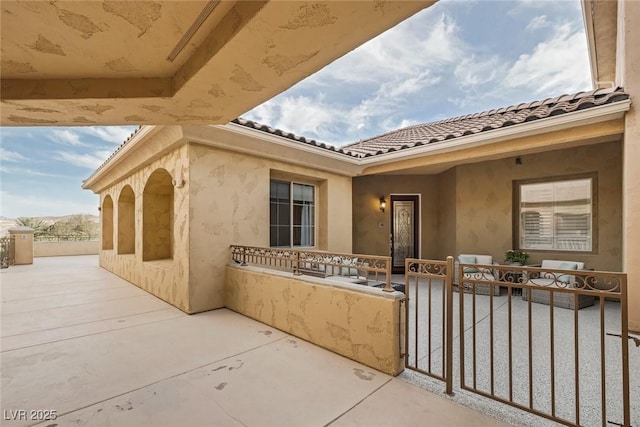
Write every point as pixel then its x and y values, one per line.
pixel 359 268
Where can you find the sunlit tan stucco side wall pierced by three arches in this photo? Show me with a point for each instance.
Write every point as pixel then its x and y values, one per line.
pixel 167 279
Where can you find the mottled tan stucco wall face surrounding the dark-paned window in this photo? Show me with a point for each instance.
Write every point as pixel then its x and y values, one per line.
pixel 229 204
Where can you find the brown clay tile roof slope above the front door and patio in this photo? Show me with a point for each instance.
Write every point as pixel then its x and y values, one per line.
pixel 428 133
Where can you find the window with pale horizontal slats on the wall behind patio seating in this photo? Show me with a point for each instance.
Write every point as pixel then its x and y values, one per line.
pixel 556 215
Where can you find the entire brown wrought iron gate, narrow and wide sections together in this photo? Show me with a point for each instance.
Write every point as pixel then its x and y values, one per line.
pixel 543 341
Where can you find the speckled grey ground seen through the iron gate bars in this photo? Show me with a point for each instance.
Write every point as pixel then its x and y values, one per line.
pixel 589 377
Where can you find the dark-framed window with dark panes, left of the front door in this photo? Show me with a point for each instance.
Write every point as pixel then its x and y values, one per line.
pixel 292 213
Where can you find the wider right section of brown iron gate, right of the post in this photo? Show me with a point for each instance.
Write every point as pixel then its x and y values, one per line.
pixel 534 349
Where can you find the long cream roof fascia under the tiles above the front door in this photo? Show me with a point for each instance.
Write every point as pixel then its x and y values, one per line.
pixel 550 124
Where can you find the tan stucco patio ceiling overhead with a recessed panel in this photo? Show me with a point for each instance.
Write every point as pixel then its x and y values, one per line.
pixel 170 62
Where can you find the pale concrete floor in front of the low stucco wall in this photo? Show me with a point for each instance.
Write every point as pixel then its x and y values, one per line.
pixel 99 351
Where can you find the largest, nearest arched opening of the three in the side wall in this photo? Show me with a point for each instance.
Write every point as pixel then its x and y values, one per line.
pixel 157 217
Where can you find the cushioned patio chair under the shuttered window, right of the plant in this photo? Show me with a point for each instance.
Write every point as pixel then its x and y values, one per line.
pixel 555 279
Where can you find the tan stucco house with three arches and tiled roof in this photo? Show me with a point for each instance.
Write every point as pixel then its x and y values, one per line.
pixel 174 198
